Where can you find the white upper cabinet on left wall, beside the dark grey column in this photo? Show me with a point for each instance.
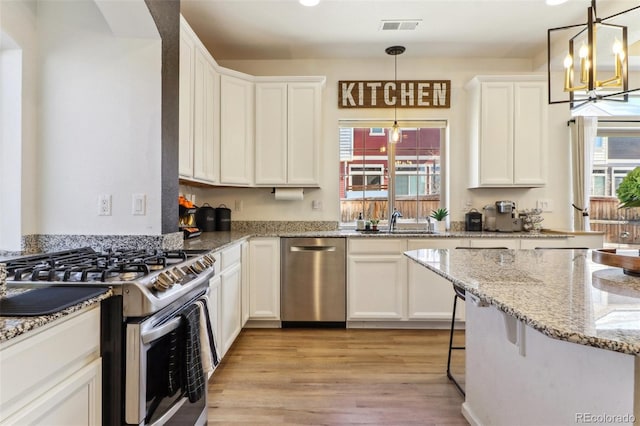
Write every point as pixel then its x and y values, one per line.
pixel 199 135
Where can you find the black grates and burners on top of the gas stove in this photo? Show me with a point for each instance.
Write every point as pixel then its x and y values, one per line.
pixel 87 265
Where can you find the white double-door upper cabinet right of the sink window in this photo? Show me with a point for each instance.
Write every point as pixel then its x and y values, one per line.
pixel 508 116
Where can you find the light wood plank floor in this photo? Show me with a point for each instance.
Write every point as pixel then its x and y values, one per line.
pixel 337 377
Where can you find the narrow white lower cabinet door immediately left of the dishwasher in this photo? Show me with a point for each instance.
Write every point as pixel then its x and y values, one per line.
pixel 264 300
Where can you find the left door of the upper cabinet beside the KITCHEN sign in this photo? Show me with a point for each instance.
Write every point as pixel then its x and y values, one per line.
pixel 271 133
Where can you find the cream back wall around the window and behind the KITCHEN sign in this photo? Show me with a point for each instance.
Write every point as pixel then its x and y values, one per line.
pixel 258 204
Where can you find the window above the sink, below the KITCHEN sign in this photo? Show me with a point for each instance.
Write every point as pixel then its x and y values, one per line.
pixel 368 184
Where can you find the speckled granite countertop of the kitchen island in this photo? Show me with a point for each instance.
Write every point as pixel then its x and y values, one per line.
pixel 561 293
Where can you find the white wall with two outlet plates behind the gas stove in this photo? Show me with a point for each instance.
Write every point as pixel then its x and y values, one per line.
pixel 99 123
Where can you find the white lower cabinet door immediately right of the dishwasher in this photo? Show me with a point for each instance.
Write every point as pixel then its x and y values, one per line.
pixel 376 287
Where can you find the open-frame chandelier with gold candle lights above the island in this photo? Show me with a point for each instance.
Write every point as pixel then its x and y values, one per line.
pixel 600 70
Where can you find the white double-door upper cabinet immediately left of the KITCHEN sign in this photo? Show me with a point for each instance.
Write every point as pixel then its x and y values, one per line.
pixel 288 123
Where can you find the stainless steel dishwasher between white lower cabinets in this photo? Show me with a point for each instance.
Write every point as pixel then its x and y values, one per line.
pixel 313 282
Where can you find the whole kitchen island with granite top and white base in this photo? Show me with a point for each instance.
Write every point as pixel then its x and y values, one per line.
pixel 551 336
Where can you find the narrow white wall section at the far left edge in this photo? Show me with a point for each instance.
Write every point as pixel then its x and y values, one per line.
pixel 18 92
